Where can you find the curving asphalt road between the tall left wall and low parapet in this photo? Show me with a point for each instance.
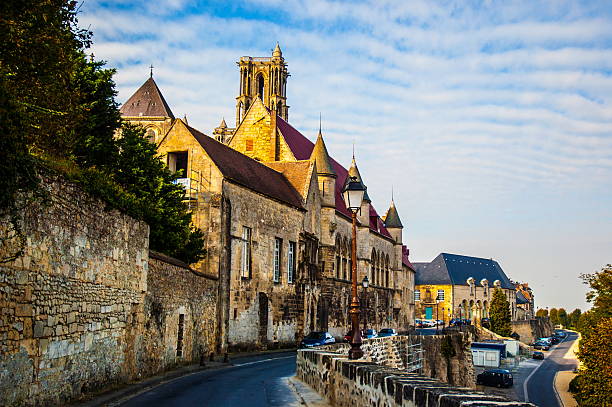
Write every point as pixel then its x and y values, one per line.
pixel 256 381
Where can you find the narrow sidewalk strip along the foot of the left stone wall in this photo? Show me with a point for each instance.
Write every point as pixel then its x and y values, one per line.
pixel 114 395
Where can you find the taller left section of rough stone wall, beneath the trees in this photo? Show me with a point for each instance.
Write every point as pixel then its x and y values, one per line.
pixel 70 303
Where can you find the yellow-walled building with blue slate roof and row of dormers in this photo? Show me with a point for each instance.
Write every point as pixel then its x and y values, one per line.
pixel 456 286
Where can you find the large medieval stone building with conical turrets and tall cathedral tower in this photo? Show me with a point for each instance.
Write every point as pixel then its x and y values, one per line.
pixel 278 231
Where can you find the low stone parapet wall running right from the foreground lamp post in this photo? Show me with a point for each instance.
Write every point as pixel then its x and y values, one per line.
pixel 363 384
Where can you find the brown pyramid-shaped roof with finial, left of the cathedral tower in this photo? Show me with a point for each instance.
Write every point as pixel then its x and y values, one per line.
pixel 147 101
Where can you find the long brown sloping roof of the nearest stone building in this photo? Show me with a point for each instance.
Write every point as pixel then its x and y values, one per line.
pixel 247 172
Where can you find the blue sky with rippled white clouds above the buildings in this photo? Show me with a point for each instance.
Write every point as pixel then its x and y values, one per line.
pixel 491 120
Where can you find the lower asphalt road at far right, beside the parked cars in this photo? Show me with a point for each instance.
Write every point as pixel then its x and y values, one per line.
pixel 540 388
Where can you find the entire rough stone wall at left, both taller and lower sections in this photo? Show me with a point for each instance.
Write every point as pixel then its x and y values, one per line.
pixel 81 309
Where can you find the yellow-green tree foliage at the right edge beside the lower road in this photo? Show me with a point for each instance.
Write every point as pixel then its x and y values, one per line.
pixel 593 385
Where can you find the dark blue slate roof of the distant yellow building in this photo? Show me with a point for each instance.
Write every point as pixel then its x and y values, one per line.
pixel 456 269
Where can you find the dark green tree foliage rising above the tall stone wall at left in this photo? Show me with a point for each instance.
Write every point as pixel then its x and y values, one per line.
pixel 58 109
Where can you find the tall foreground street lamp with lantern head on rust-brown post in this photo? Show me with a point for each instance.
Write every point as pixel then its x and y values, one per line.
pixel 353 192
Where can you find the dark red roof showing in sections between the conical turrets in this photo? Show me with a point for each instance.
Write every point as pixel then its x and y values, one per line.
pixel 302 148
